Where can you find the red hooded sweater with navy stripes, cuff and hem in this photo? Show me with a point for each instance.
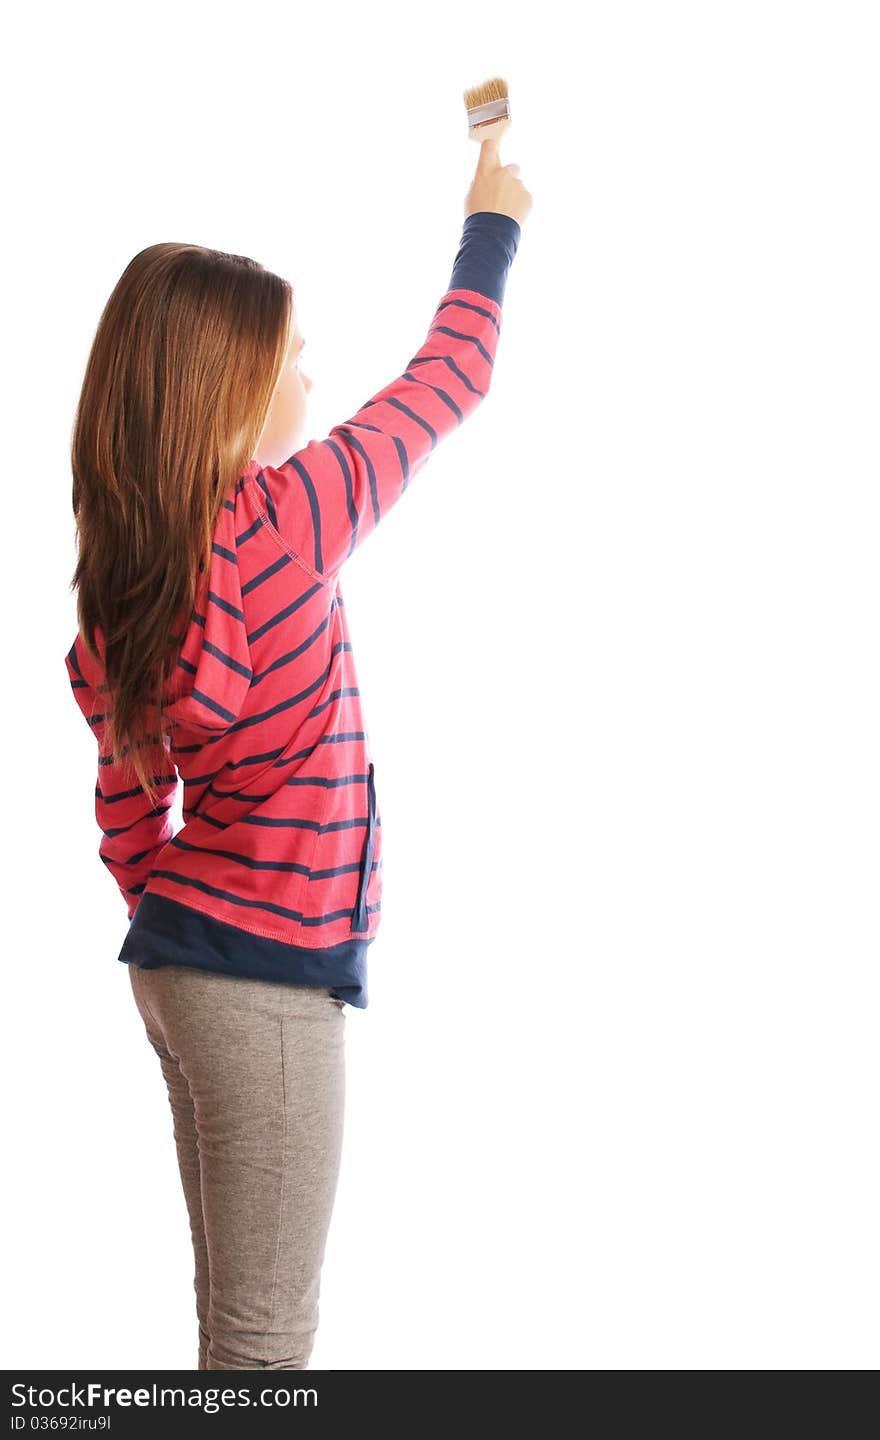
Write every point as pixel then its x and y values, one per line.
pixel 277 870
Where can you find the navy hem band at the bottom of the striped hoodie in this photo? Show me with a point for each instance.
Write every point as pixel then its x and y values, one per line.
pixel 166 932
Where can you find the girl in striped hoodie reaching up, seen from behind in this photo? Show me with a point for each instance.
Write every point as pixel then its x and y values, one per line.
pixel 214 647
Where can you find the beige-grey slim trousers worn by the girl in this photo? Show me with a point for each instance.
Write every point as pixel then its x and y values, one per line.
pixel 256 1076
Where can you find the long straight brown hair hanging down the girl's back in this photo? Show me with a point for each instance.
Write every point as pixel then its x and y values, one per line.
pixel 178 387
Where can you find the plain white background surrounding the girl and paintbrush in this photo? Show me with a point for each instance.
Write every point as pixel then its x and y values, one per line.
pixel 614 1099
